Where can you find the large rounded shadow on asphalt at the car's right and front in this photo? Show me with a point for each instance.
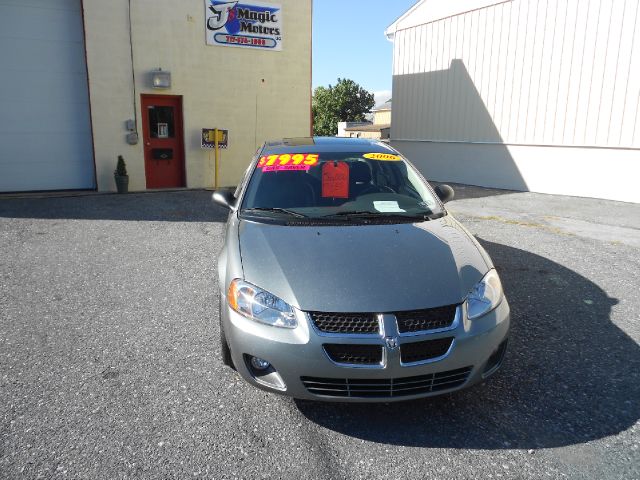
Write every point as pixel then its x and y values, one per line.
pixel 570 374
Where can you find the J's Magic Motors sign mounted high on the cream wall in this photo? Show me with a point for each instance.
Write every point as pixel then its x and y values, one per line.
pixel 247 25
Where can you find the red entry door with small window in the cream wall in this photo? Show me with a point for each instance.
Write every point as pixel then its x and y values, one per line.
pixel 163 140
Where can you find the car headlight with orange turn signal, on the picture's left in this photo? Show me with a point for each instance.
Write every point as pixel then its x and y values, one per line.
pixel 259 305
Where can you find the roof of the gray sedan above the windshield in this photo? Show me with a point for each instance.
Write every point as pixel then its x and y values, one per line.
pixel 325 144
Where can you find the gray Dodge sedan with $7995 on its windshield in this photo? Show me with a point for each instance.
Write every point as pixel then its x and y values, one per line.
pixel 344 278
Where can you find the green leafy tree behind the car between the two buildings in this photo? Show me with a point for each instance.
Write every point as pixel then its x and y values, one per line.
pixel 346 102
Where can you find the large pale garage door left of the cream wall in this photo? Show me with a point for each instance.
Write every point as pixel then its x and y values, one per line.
pixel 45 134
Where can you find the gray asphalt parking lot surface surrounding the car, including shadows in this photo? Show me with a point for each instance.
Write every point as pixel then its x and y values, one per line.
pixel 110 368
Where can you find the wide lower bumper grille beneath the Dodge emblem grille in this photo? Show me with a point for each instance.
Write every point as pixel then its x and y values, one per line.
pixel 388 387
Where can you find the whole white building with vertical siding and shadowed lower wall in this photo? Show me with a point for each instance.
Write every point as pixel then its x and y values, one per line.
pixel 528 95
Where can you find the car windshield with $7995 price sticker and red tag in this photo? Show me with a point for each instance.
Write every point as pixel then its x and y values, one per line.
pixel 337 184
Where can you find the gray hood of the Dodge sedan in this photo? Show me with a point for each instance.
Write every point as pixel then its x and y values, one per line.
pixel 363 268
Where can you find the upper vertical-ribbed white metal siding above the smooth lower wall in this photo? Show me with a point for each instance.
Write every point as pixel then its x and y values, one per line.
pixel 545 72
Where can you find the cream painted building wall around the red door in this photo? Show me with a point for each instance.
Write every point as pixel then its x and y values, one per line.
pixel 255 94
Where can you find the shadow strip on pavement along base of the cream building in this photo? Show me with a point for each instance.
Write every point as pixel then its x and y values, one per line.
pixel 181 206
